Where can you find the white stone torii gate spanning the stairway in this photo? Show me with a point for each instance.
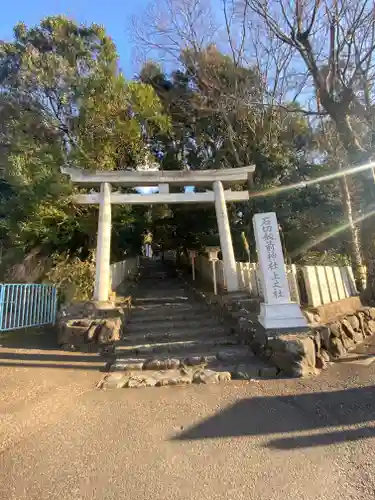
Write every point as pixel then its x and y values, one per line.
pixel 211 179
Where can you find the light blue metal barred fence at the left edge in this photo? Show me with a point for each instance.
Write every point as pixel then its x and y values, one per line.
pixel 23 306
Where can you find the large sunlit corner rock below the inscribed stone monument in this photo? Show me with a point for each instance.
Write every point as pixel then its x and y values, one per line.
pixel 294 354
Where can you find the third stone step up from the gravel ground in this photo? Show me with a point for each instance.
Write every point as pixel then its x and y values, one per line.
pixel 186 347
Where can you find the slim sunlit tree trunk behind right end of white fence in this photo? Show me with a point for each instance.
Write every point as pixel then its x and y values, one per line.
pixel 359 269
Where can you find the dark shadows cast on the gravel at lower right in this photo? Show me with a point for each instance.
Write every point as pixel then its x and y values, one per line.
pixel 262 416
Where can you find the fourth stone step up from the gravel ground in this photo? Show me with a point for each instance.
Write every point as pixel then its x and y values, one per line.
pixel 174 335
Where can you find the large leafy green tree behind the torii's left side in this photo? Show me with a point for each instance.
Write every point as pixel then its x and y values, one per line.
pixel 64 101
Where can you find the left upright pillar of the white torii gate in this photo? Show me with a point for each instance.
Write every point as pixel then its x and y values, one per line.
pixel 103 249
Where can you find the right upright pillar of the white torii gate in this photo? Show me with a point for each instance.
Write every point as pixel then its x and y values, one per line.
pixel 230 268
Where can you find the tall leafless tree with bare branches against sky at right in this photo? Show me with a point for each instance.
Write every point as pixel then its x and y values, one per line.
pixel 334 42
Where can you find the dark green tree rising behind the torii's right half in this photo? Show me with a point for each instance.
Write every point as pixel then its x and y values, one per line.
pixel 201 101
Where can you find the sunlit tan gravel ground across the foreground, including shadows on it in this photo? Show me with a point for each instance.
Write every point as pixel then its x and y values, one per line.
pixel 61 438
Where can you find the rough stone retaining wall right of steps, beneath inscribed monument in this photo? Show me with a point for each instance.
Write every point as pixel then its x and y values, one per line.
pixel 297 353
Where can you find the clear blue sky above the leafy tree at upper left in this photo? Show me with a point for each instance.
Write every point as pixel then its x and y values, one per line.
pixel 114 15
